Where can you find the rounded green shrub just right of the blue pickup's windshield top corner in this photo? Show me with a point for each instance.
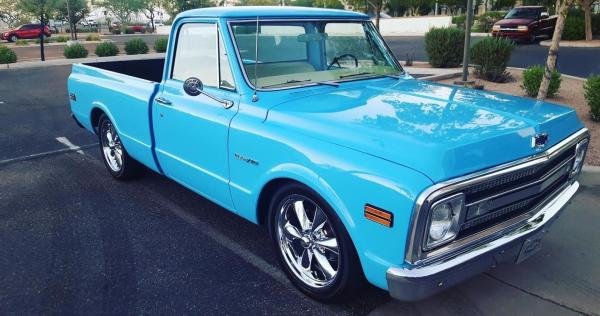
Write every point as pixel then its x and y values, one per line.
pixel 444 46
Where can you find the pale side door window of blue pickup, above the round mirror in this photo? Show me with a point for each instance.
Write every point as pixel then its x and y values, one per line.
pixel 196 54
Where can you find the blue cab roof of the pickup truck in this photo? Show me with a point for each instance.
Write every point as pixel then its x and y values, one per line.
pixel 271 12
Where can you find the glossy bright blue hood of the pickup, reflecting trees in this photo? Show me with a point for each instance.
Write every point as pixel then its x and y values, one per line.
pixel 439 130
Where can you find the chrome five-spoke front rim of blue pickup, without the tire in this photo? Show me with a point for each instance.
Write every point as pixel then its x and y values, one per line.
pixel 307 241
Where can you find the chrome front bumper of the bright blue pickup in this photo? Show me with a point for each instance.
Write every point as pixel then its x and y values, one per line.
pixel 418 282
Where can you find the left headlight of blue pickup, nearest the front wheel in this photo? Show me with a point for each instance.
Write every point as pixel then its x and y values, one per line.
pixel 444 220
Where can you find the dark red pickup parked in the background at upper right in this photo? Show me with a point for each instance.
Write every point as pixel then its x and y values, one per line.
pixel 525 23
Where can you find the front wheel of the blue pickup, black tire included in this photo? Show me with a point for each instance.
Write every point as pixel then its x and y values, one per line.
pixel 327 277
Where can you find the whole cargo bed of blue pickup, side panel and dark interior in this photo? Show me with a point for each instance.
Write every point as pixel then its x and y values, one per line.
pixel 125 89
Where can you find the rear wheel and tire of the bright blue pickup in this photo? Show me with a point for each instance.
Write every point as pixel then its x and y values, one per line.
pixel 116 159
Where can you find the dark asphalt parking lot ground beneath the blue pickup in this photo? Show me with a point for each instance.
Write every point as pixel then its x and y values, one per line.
pixel 75 241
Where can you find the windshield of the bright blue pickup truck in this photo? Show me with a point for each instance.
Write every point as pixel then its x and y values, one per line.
pixel 293 53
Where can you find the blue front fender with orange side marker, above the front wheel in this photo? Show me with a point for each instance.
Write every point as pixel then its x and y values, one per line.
pixel 344 178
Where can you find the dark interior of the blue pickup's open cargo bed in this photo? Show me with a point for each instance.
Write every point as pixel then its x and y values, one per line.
pixel 149 69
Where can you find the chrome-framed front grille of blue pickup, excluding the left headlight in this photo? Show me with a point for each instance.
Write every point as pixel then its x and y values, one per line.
pixel 506 197
